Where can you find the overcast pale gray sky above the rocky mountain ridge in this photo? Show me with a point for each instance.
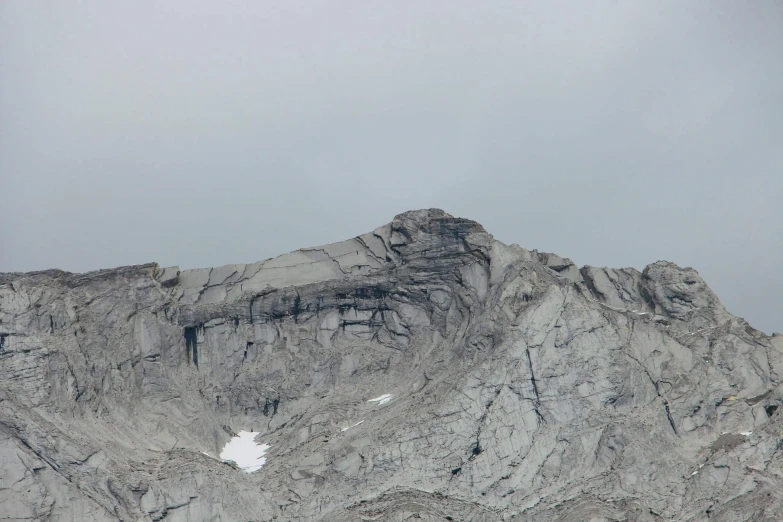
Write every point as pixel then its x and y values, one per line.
pixel 198 133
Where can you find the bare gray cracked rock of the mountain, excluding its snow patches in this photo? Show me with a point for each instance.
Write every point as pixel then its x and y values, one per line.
pixel 523 388
